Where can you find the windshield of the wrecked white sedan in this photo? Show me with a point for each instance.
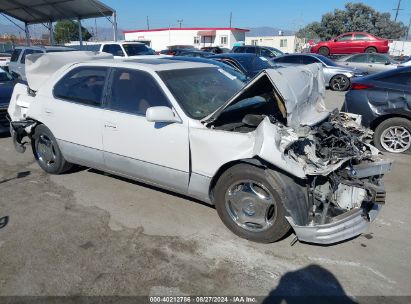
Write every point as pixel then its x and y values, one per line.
pixel 201 91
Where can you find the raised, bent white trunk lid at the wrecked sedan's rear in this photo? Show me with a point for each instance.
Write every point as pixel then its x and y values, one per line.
pixel 39 67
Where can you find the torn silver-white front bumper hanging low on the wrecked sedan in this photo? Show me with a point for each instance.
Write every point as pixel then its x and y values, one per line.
pixel 346 226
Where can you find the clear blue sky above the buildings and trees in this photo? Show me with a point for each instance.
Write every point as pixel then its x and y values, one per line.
pixel 285 14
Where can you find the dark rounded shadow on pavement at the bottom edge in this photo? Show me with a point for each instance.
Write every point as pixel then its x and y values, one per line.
pixel 311 284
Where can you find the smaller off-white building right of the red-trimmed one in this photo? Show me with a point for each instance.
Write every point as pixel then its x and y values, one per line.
pixel 286 44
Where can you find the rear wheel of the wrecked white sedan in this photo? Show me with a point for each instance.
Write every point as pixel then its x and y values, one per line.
pixel 52 160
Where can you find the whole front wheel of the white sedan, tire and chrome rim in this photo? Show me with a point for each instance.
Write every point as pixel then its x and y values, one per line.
pixel 249 205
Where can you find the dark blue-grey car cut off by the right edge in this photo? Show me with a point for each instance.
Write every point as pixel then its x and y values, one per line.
pixel 384 101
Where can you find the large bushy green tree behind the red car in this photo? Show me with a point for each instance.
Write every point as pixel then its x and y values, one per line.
pixel 355 17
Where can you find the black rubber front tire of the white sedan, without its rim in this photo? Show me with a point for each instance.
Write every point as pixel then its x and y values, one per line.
pixel 272 183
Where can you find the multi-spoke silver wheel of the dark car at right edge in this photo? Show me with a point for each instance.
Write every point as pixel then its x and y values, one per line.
pixel 393 135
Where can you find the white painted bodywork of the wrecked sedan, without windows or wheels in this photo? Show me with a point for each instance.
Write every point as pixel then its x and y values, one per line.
pixel 185 155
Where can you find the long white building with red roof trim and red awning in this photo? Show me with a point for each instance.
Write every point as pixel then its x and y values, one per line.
pixel 196 36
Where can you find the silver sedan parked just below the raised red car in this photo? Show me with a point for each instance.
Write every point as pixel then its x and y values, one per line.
pixel 371 63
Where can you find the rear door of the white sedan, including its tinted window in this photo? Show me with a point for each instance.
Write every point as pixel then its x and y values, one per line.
pixel 74 114
